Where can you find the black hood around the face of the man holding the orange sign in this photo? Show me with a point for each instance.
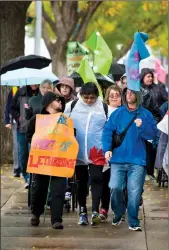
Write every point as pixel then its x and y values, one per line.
pixel 50 97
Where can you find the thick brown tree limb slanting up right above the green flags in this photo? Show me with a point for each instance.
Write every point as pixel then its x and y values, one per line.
pixel 93 5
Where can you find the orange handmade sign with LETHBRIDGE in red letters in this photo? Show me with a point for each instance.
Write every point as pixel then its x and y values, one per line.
pixel 54 148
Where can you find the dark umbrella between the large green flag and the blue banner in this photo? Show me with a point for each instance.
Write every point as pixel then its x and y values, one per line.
pixel 117 70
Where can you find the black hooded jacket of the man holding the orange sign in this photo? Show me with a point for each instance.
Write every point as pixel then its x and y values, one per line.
pixel 47 99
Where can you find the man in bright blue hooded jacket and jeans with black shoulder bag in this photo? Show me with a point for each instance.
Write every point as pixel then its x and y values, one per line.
pixel 128 158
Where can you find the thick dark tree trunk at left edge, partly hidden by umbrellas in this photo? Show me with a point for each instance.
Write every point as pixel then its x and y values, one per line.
pixel 12 19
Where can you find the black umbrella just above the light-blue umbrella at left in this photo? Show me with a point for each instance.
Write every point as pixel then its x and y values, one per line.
pixel 31 61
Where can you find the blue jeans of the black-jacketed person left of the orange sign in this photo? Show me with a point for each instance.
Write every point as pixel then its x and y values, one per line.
pixel 23 153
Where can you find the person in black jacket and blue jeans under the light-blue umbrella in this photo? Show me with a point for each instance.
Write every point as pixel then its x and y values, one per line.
pixel 18 113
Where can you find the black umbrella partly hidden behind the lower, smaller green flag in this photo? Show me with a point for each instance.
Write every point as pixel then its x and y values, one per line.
pixel 104 81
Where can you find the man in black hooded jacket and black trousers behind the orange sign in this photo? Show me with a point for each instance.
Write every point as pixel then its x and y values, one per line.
pixel 51 104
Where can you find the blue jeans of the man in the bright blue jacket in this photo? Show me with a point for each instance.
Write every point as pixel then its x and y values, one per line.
pixel 133 176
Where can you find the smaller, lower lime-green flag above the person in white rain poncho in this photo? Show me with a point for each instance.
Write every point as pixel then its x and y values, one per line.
pixel 87 74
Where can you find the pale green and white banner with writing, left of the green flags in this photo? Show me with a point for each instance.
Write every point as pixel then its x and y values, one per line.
pixel 75 53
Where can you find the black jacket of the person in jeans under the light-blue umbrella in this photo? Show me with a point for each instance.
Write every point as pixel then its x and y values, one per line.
pixel 17 106
